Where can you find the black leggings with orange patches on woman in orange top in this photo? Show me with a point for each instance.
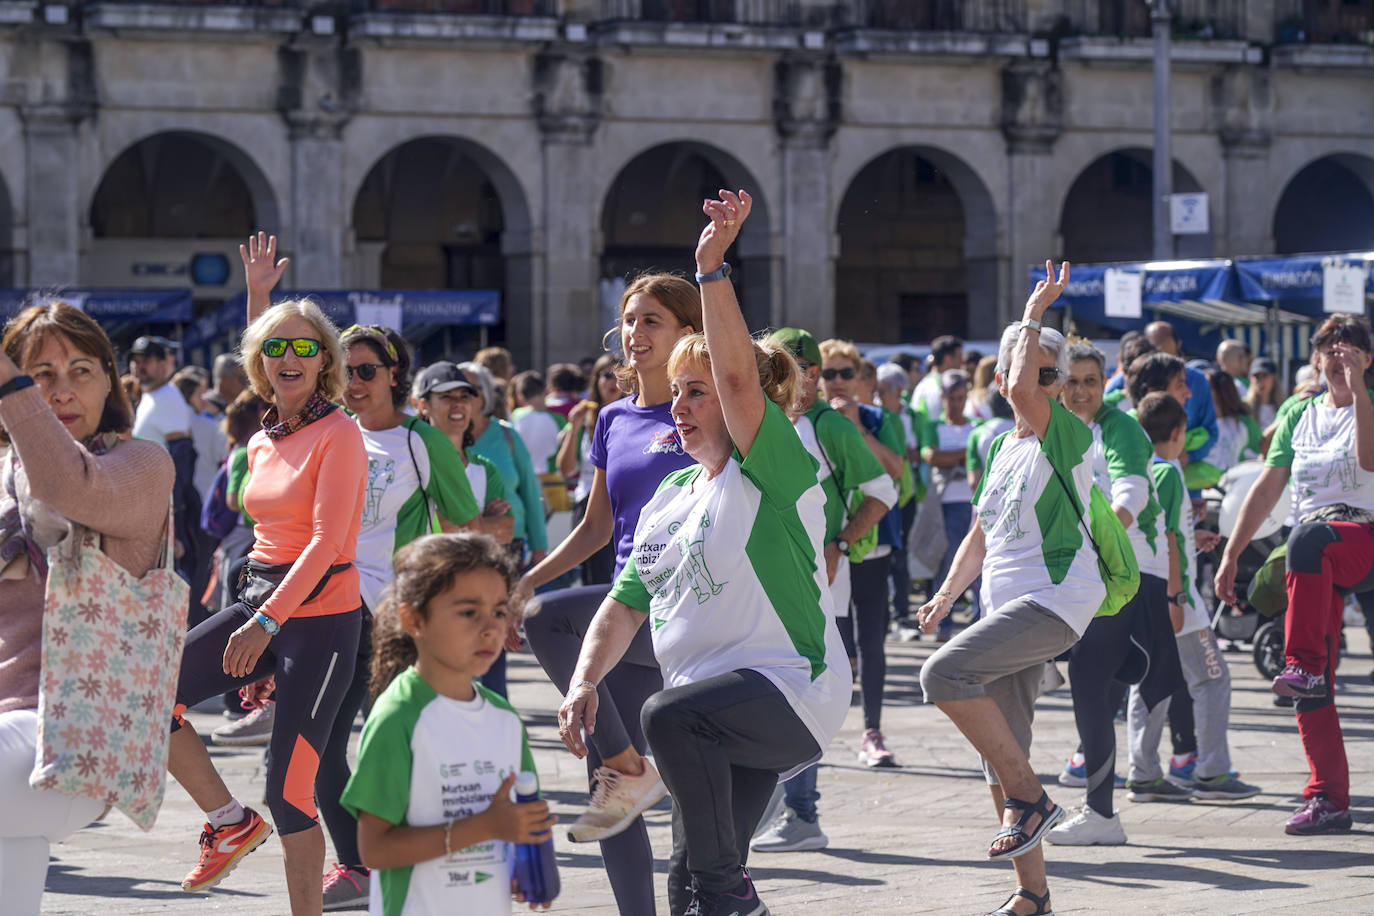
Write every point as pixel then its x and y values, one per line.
pixel 313 660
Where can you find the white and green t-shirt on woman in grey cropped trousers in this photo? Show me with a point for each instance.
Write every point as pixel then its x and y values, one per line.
pixel 1034 528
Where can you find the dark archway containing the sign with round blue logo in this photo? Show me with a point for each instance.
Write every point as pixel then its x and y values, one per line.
pixel 171 211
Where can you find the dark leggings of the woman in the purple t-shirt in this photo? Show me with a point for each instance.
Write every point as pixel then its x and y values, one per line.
pixel 556 637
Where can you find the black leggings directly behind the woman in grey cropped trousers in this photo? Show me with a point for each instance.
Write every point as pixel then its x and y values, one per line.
pixel 1094 663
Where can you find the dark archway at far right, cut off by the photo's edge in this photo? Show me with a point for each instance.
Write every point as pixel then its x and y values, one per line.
pixel 1328 207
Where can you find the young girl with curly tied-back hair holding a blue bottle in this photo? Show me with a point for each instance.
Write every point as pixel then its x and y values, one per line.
pixel 440 753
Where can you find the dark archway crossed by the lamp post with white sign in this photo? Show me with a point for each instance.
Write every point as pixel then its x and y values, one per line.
pixel 1110 216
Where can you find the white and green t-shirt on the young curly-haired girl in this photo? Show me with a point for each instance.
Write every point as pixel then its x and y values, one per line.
pixel 428 759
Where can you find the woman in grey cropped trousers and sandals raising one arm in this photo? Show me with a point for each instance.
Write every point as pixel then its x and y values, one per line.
pixel 1041 590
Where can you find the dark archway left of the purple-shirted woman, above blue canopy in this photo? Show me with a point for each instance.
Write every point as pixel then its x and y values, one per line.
pixel 439 214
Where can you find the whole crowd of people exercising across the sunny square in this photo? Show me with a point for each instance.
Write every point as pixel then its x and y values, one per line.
pixel 754 516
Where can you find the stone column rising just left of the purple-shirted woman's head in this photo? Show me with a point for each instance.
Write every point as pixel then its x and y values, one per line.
pixel 567 322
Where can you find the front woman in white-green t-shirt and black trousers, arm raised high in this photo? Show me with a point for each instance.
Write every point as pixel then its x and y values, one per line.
pixel 729 568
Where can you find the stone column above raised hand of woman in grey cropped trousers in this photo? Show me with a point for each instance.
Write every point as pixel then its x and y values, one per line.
pixel 1033 119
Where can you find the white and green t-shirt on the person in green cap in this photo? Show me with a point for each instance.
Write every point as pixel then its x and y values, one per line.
pixel 846 465
